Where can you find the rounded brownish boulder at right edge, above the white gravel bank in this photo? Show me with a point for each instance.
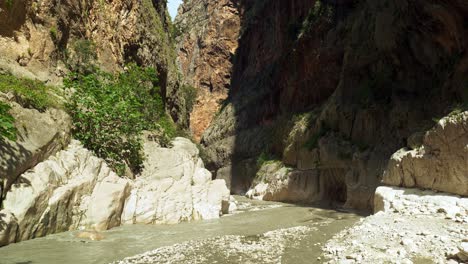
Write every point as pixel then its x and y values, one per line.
pixel 441 161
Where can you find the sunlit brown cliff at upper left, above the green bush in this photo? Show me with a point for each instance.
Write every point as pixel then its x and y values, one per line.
pixel 44 39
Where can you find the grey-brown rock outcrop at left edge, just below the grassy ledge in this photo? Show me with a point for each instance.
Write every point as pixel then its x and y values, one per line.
pixel 39 135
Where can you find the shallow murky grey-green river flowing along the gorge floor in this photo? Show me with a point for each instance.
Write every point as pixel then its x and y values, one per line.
pixel 260 232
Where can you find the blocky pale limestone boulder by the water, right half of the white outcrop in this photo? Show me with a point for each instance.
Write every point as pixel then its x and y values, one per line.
pixel 174 187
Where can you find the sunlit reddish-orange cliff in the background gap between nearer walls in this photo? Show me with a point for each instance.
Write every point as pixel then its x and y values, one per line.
pixel 209 32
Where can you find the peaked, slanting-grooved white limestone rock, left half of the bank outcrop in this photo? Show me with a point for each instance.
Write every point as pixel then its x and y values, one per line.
pixel 52 197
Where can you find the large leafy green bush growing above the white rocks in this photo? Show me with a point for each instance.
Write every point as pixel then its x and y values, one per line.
pixel 110 112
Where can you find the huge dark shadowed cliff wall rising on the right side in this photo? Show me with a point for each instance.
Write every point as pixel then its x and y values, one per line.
pixel 336 87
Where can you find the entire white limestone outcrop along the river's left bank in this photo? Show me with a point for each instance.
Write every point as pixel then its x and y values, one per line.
pixel 73 190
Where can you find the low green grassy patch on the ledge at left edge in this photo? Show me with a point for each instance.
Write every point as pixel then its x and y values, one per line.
pixel 31 93
